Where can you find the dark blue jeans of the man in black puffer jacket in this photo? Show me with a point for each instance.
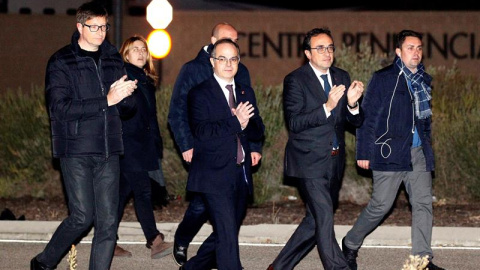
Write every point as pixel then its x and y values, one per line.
pixel 91 186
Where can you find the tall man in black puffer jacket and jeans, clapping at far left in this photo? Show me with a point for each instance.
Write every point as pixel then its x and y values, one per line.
pixel 86 92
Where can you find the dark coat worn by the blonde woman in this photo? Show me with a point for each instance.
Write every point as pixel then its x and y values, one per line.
pixel 141 134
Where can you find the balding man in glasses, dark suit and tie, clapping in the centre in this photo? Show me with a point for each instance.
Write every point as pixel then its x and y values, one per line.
pixel 220 172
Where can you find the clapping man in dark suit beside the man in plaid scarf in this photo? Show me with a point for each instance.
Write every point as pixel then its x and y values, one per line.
pixel 317 106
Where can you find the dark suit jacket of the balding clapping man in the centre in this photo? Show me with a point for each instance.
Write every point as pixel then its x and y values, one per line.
pixel 215 130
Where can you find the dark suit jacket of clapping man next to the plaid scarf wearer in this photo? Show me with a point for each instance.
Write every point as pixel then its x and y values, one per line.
pixel 309 146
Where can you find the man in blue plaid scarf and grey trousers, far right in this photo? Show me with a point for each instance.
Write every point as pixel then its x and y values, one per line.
pixel 395 143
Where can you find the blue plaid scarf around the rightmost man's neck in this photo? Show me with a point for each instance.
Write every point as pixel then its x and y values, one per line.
pixel 422 93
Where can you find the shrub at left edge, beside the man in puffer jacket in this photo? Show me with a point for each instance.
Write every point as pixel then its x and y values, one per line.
pixel 26 164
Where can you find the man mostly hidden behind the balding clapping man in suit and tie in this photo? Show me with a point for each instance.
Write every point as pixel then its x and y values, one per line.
pixel 192 74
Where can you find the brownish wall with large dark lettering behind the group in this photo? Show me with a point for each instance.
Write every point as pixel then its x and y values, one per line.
pixel 270 41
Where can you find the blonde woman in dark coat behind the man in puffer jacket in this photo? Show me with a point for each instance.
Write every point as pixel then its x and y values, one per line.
pixel 142 147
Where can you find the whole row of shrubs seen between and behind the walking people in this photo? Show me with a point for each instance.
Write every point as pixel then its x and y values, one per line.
pixel 26 166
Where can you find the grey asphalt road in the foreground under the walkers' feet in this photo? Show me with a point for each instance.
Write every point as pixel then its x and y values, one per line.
pixel 16 255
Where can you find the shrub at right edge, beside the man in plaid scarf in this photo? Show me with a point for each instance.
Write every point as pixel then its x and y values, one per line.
pixel 455 127
